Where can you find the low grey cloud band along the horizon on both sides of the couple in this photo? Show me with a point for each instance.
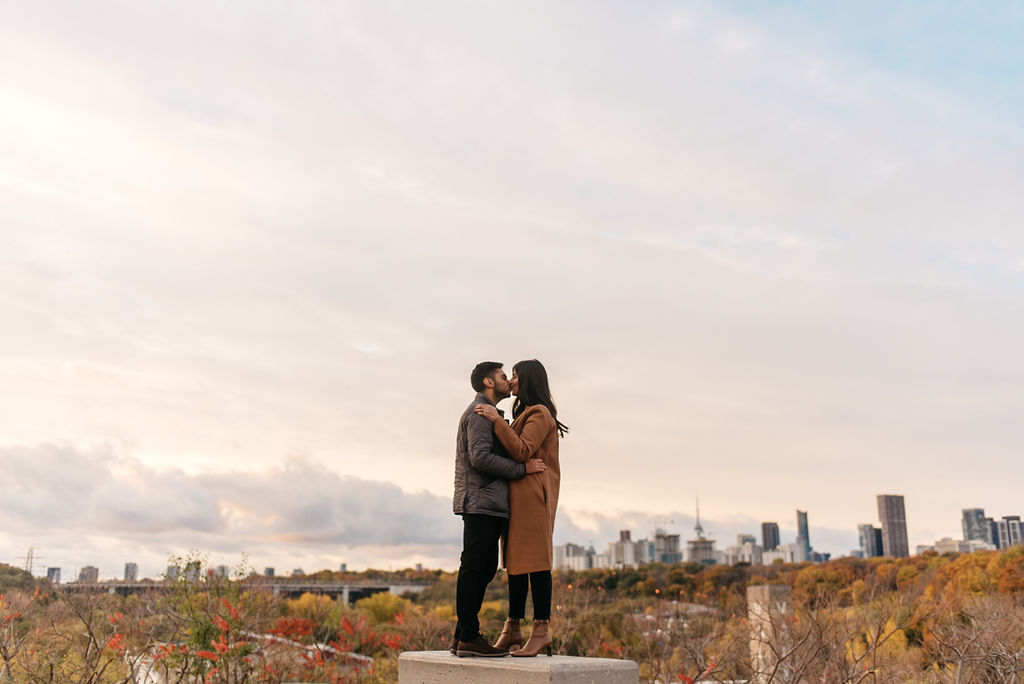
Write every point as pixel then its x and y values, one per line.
pixel 297 515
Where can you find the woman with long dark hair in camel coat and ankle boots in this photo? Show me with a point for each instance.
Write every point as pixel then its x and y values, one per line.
pixel 533 500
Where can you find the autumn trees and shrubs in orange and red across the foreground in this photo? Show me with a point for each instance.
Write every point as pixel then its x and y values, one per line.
pixel 927 619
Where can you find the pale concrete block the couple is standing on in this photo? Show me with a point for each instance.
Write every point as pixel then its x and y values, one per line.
pixel 443 668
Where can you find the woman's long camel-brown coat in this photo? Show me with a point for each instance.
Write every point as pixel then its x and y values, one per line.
pixel 534 499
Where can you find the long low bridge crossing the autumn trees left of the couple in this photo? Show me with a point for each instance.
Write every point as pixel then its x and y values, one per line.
pixel 350 592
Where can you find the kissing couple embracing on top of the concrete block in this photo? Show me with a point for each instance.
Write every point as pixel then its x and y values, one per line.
pixel 506 491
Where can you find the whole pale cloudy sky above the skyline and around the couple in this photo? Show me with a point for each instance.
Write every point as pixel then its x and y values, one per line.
pixel 771 254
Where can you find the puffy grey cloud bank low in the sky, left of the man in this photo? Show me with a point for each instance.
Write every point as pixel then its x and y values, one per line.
pixel 98 492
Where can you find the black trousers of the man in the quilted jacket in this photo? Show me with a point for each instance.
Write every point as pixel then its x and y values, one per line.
pixel 479 565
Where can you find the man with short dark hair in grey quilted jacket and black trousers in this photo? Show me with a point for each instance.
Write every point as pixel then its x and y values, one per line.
pixel 482 498
